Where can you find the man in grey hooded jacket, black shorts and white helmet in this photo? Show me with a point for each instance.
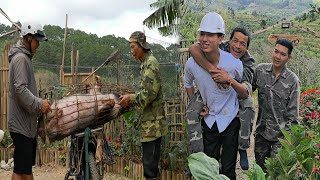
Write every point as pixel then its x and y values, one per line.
pixel 24 105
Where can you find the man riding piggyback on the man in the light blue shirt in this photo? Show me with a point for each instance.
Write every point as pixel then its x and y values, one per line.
pixel 238 47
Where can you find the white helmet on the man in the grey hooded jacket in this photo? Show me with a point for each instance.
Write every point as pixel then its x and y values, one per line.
pixel 34 29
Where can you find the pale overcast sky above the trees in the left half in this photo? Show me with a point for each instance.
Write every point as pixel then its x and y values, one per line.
pixel 101 17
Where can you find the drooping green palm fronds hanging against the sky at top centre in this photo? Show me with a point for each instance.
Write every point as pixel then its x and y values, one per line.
pixel 166 17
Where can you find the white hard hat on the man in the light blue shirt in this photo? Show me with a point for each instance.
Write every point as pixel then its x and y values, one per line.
pixel 212 23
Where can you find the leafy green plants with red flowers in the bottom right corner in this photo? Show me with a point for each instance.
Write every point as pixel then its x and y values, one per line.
pixel 298 158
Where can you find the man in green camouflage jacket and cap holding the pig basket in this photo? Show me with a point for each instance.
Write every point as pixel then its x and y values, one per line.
pixel 148 99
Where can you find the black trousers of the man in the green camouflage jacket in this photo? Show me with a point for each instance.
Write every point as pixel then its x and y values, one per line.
pixel 150 158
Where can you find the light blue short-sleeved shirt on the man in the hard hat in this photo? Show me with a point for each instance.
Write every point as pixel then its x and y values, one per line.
pixel 222 103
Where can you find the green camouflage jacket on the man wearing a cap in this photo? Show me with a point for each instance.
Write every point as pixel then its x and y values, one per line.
pixel 149 101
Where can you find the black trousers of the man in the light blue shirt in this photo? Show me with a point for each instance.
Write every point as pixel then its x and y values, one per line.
pixel 223 146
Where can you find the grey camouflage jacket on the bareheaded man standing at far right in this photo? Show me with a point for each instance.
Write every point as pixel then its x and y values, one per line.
pixel 278 100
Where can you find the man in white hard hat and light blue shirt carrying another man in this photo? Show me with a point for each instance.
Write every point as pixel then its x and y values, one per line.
pixel 220 125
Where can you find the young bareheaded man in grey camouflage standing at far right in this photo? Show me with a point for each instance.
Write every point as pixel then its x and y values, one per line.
pixel 278 97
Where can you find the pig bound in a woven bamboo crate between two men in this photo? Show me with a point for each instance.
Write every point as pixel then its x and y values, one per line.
pixel 74 113
